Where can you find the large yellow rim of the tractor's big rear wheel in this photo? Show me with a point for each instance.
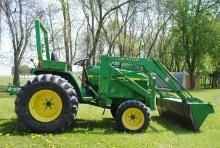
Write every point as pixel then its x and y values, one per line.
pixel 45 105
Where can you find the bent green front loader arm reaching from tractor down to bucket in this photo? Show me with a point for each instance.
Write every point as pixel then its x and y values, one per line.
pixel 150 65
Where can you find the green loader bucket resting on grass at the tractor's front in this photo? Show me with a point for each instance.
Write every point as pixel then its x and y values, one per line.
pixel 190 114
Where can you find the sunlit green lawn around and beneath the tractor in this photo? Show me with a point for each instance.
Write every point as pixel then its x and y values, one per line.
pixel 96 130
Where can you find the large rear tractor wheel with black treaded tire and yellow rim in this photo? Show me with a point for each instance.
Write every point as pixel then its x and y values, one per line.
pixel 46 104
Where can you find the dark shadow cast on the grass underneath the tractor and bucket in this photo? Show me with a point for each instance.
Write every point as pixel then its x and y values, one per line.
pixel 104 126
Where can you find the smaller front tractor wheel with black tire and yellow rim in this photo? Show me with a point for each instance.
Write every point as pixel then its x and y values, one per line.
pixel 133 116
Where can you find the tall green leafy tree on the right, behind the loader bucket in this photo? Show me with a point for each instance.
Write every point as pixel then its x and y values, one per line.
pixel 193 21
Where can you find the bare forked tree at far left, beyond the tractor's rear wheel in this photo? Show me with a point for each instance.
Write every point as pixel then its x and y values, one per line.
pixel 20 16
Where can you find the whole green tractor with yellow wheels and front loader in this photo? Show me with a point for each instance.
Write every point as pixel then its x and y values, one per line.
pixel 126 86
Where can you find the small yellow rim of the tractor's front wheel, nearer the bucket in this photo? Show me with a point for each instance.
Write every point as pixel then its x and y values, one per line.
pixel 133 118
